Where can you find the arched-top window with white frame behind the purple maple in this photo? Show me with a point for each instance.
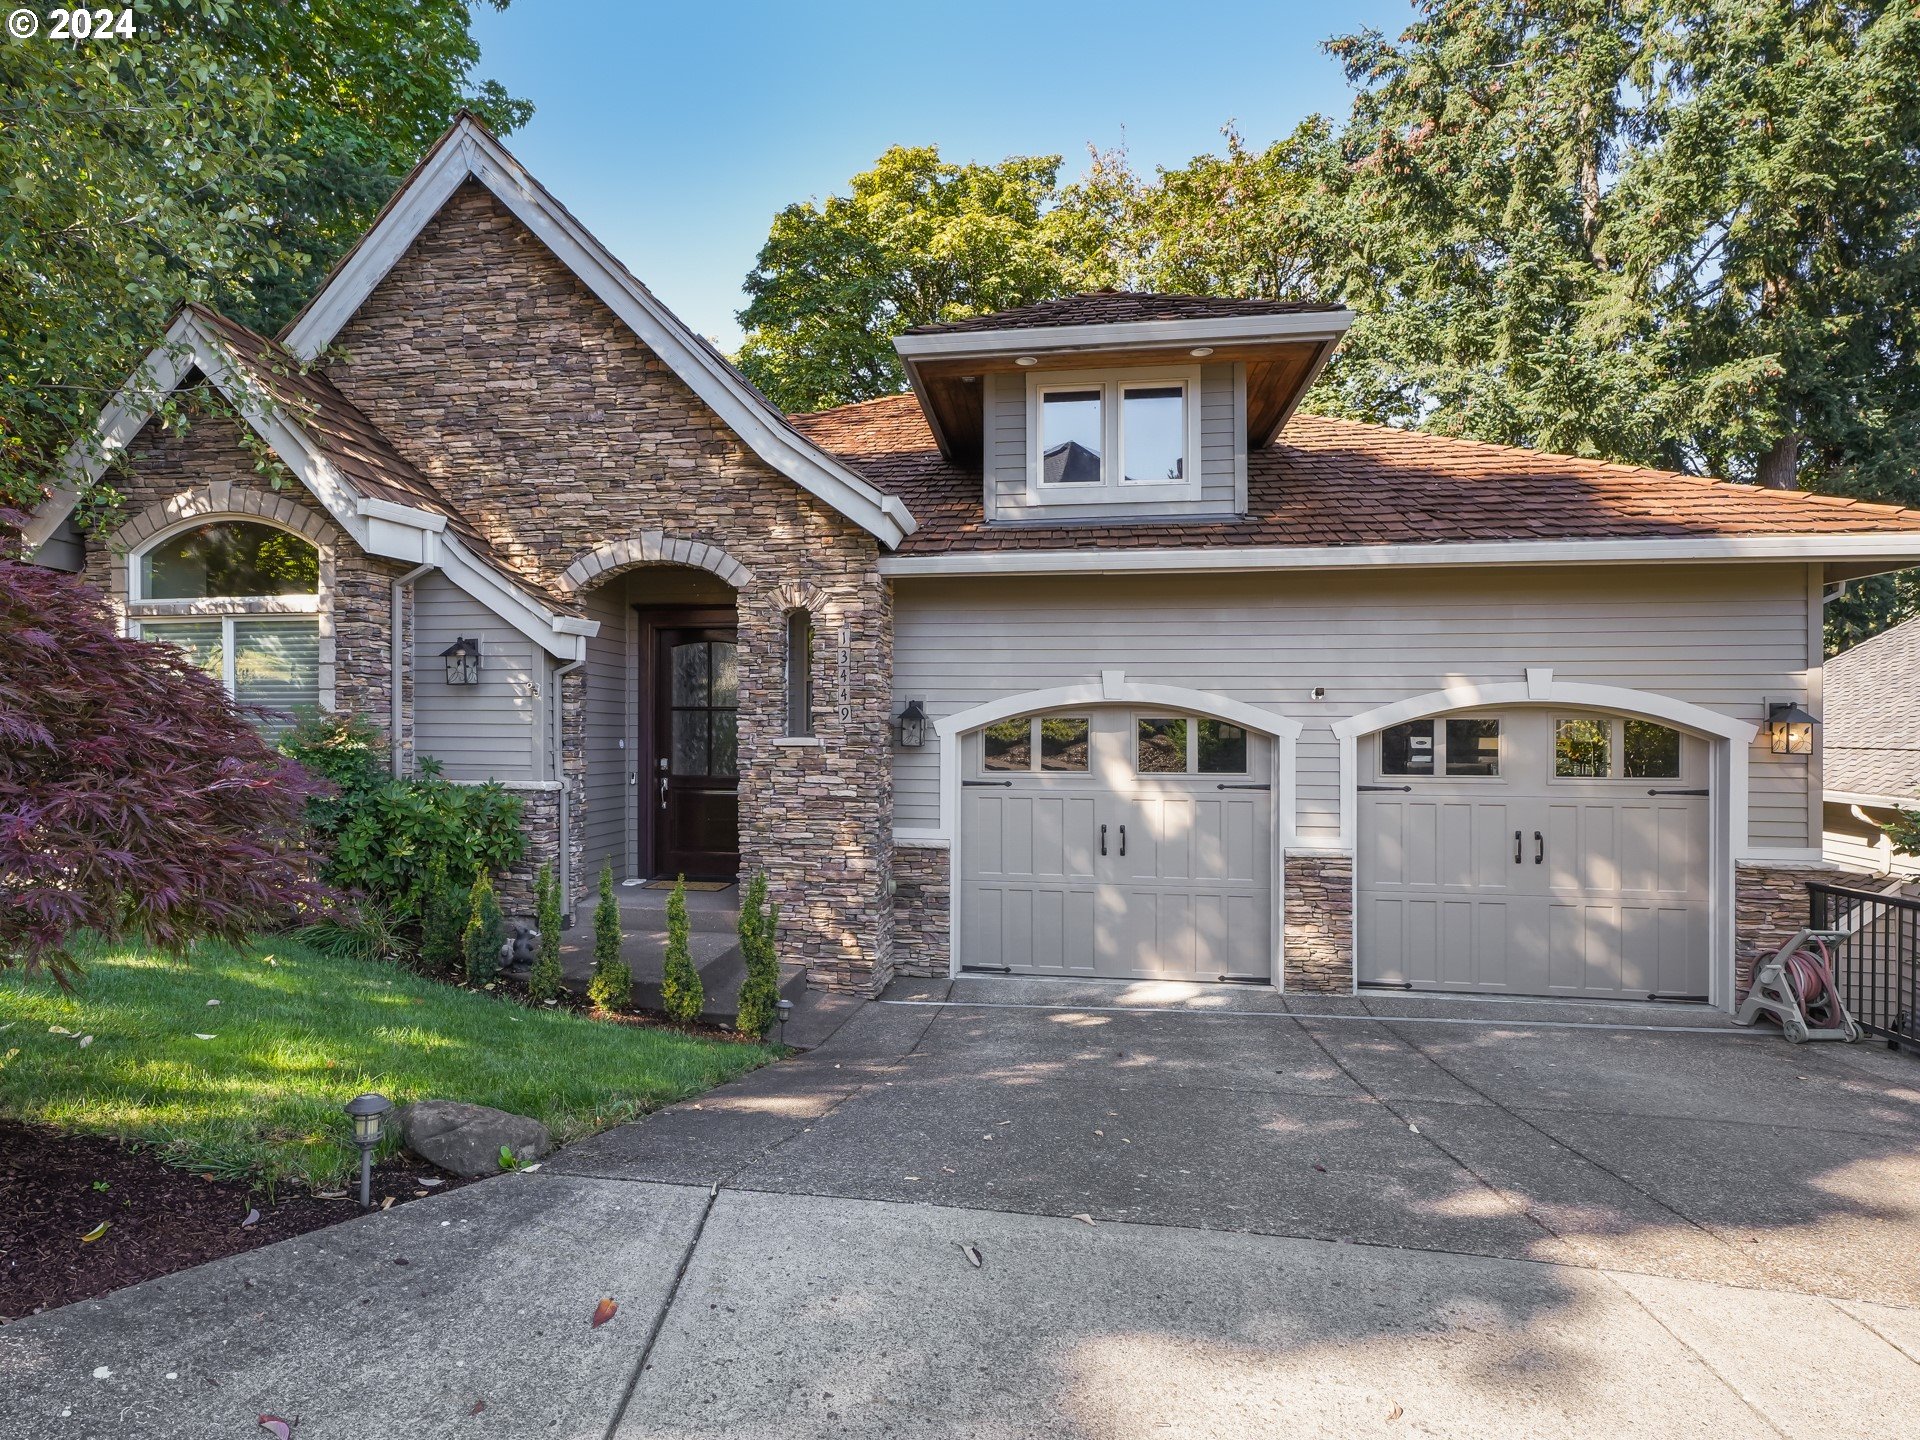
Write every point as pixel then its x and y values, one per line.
pixel 243 600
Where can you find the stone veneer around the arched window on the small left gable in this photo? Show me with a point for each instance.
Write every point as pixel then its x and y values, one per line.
pixel 210 462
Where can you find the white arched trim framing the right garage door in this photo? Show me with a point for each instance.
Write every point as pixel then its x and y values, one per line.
pixel 1731 742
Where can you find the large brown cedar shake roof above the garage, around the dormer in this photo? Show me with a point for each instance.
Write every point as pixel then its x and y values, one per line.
pixel 1343 483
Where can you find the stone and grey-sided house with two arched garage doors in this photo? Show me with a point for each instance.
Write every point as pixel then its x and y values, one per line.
pixel 1093 656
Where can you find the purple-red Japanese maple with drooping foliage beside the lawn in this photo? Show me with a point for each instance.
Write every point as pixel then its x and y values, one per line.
pixel 133 798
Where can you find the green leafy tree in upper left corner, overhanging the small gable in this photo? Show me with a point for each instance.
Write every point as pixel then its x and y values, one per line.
pixel 228 153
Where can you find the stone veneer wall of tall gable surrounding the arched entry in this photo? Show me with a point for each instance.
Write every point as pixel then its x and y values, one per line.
pixel 556 429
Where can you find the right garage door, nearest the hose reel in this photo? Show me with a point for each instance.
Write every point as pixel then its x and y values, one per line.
pixel 1535 853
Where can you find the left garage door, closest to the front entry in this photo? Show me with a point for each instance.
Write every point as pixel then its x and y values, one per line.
pixel 1120 844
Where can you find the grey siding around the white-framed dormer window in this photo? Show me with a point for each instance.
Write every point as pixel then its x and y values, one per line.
pixel 1222 454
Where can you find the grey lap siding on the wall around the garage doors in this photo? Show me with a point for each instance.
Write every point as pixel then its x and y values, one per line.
pixel 1723 638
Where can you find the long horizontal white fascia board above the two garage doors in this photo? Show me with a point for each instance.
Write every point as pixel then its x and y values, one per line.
pixel 1898 548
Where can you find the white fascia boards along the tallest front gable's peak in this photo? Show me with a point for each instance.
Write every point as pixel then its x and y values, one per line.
pixel 765 433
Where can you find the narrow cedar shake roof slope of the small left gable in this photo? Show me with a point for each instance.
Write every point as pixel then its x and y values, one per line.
pixel 352 443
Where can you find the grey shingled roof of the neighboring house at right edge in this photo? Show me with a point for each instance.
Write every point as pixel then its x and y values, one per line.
pixel 1871 711
